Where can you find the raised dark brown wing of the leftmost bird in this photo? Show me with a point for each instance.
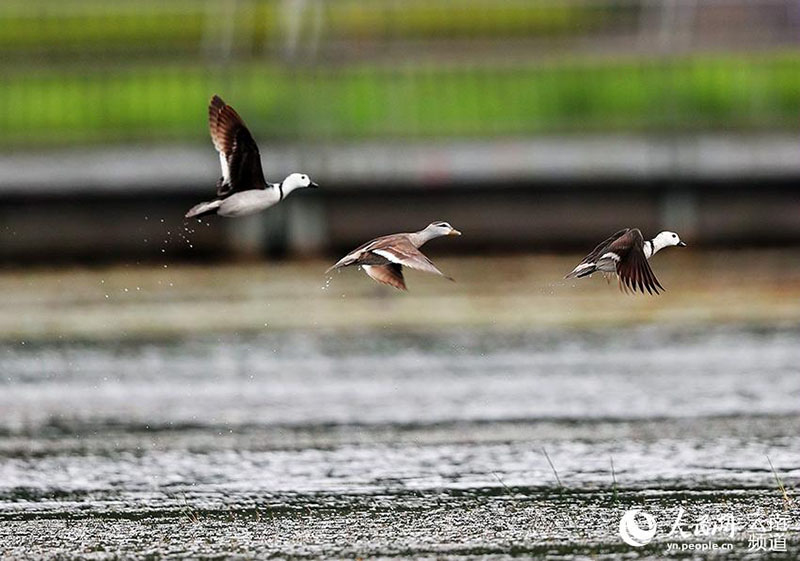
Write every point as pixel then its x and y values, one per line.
pixel 239 156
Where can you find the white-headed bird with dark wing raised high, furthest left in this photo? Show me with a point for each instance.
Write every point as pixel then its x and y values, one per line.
pixel 242 189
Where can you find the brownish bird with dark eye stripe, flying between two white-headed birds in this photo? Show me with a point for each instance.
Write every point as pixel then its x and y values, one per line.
pixel 383 258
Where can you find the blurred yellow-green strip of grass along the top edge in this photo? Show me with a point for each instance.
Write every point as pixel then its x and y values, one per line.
pixel 105 24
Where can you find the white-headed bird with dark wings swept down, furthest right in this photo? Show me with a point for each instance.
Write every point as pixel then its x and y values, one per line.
pixel 625 254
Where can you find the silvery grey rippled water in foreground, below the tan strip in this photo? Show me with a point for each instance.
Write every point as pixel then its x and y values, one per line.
pixel 390 444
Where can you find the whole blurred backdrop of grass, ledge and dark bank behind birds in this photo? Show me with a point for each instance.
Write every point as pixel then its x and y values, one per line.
pixel 529 125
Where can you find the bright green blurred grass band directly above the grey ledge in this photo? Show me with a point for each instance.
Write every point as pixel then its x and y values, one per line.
pixel 168 102
